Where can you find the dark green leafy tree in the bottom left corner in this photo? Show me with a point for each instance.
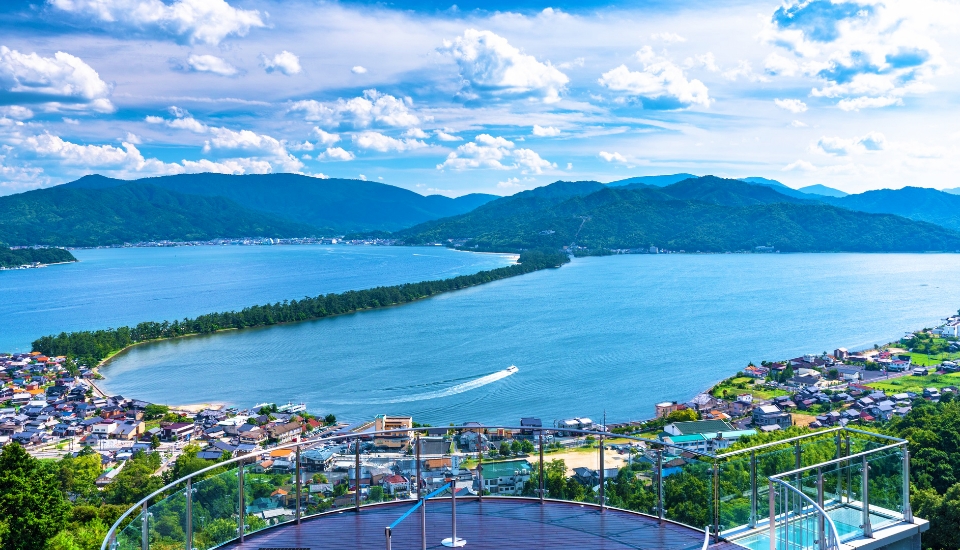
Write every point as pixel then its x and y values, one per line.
pixel 32 506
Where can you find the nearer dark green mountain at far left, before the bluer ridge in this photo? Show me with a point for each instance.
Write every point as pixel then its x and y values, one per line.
pixel 71 216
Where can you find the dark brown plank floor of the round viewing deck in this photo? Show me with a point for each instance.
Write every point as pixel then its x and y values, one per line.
pixel 494 524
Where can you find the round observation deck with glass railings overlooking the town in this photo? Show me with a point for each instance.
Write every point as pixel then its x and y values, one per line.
pixel 835 489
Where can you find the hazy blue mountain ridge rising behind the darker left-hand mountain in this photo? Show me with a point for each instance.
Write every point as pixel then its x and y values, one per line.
pixel 342 205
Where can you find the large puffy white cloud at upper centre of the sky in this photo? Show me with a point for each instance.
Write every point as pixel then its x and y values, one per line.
pixel 490 65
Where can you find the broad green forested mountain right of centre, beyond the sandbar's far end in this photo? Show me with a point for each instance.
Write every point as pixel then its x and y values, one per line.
pixel 706 218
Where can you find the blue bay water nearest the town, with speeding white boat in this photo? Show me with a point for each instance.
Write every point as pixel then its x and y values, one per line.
pixel 607 335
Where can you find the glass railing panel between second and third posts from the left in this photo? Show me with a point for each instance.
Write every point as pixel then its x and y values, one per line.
pixel 215 509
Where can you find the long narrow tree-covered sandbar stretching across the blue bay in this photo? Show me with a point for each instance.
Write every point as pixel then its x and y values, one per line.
pixel 94 346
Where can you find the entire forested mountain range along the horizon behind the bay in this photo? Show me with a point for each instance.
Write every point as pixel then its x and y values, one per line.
pixel 96 210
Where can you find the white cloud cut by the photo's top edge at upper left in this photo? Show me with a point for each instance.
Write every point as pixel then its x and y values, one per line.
pixel 189 21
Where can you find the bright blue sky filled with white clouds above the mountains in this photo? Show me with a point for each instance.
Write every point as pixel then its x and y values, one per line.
pixel 481 96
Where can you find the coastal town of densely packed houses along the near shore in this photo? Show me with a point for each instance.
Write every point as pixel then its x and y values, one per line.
pixel 53 408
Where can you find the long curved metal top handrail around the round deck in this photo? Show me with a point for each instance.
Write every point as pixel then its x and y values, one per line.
pixel 370 434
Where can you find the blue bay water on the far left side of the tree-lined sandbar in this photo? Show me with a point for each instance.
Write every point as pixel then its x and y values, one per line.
pixel 115 287
